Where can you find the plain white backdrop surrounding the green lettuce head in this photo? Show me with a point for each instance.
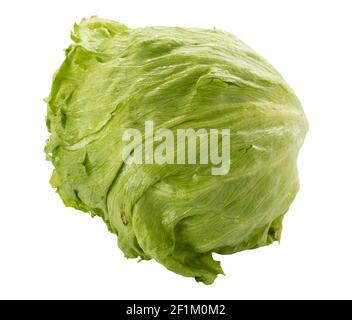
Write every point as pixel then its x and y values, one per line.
pixel 49 251
